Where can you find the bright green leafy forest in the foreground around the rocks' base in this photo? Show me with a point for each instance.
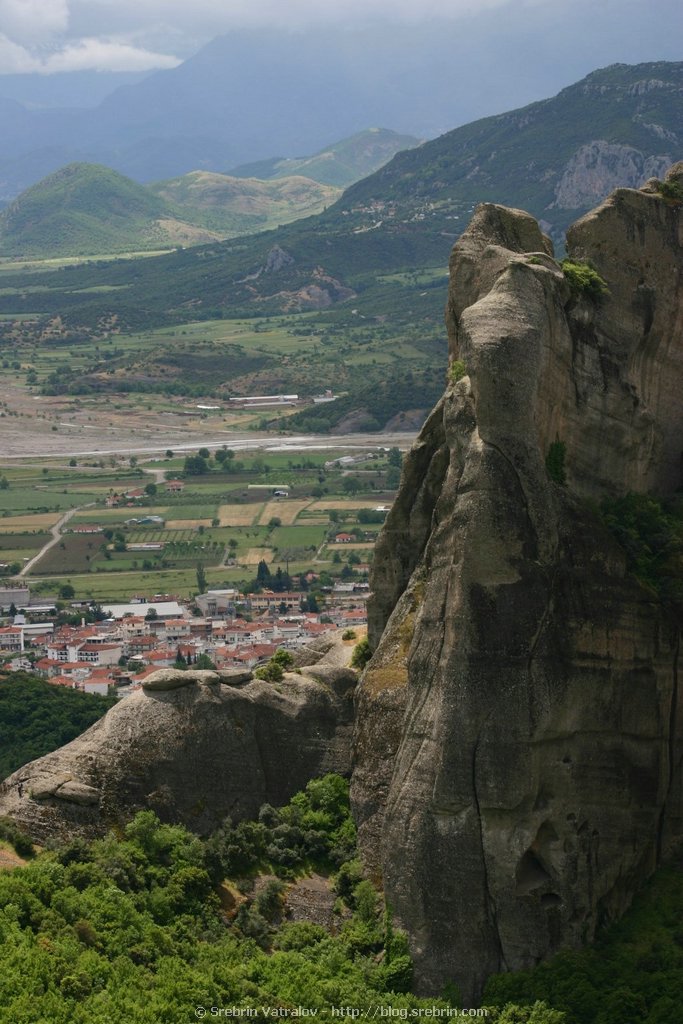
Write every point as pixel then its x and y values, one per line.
pixel 154 925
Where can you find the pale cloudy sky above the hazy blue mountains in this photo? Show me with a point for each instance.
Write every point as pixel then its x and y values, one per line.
pixel 54 36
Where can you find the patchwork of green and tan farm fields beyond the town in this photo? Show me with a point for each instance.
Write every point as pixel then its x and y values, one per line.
pixel 222 524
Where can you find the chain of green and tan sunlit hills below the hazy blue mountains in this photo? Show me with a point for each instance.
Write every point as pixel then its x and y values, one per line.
pixel 89 209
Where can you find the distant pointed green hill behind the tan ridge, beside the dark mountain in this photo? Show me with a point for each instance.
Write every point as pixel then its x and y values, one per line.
pixel 339 165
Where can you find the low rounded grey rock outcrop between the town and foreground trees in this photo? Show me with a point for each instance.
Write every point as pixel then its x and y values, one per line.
pixel 196 747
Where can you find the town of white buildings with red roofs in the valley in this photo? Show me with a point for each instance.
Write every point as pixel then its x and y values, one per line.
pixel 222 629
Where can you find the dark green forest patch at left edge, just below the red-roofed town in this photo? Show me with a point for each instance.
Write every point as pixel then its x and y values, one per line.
pixel 37 718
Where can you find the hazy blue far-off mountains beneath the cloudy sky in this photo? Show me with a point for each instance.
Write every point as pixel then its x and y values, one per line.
pixel 253 96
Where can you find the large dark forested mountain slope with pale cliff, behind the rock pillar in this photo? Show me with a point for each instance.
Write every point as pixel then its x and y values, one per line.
pixel 373 266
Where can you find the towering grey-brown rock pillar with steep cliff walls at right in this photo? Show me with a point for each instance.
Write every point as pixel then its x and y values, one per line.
pixel 520 736
